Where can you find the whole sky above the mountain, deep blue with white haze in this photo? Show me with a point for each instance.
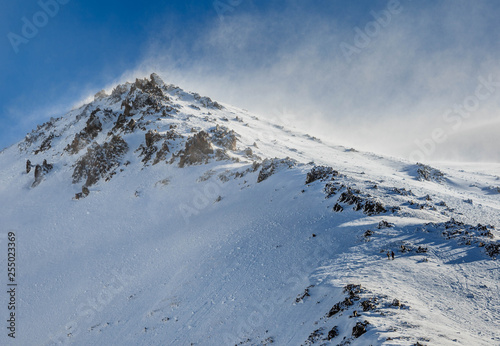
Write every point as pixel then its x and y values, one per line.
pixel 299 62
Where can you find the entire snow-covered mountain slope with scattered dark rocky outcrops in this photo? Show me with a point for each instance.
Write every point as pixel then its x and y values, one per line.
pixel 155 216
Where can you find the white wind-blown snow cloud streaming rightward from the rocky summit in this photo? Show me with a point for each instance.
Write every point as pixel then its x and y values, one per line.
pixel 389 81
